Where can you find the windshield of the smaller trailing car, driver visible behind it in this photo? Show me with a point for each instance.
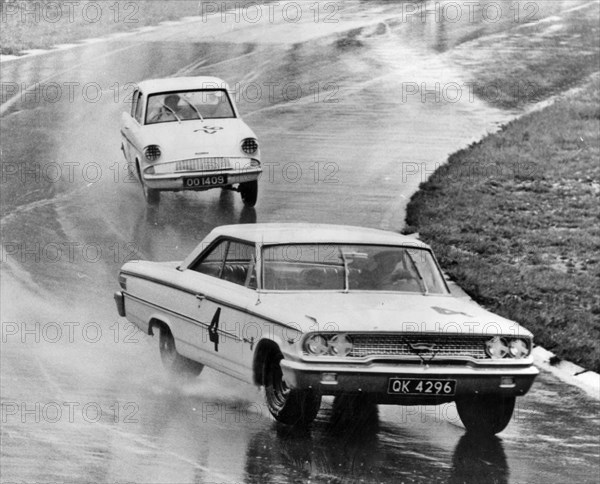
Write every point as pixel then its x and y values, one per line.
pixel 187 105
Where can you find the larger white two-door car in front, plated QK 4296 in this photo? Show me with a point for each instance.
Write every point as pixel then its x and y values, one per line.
pixel 310 310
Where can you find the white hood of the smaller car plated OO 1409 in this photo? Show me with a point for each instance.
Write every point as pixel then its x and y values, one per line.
pixel 192 139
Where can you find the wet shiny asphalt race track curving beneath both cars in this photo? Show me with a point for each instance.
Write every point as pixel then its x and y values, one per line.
pixel 84 397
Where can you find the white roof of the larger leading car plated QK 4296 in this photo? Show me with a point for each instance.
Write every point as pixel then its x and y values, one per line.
pixel 306 233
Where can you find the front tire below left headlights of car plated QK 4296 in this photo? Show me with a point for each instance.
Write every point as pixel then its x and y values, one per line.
pixel 288 406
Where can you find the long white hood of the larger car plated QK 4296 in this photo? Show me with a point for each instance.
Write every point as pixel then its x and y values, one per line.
pixel 361 311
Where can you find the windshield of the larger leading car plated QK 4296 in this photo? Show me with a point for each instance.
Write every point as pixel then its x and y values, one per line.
pixel 309 267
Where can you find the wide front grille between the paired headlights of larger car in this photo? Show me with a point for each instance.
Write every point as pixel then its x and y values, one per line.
pixel 396 345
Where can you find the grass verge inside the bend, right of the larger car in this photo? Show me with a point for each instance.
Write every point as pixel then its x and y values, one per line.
pixel 514 220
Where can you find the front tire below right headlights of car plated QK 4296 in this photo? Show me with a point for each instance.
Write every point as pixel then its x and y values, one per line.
pixel 485 414
